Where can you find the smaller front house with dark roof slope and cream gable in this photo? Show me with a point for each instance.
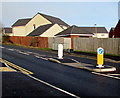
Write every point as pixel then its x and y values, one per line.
pixel 49 30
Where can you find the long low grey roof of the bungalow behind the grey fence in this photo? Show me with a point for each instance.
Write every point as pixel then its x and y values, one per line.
pixel 82 30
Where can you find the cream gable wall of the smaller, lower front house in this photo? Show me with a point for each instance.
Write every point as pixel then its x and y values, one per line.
pixel 51 32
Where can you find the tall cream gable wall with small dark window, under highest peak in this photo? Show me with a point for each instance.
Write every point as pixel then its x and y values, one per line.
pixel 37 20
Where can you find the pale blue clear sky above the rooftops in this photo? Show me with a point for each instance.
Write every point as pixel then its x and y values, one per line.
pixel 103 14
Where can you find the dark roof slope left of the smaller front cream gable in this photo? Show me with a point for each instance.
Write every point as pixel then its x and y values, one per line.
pixel 40 30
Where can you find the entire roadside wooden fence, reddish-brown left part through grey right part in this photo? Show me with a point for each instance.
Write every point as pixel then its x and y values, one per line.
pixel 110 45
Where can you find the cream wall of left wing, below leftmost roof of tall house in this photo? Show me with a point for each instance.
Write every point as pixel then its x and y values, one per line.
pixel 19 31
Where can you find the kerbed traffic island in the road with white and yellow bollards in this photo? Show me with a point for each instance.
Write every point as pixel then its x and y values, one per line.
pixel 100 67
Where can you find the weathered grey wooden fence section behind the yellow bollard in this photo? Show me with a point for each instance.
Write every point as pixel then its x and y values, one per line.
pixel 110 45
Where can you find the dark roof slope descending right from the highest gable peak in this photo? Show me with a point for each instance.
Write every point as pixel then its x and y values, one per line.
pixel 54 19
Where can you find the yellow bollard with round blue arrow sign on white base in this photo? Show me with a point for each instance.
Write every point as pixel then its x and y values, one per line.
pixel 100 57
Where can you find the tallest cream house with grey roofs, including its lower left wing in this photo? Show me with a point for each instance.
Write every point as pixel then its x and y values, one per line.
pixel 23 27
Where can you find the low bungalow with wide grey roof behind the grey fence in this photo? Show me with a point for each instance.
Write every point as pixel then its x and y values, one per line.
pixel 74 31
